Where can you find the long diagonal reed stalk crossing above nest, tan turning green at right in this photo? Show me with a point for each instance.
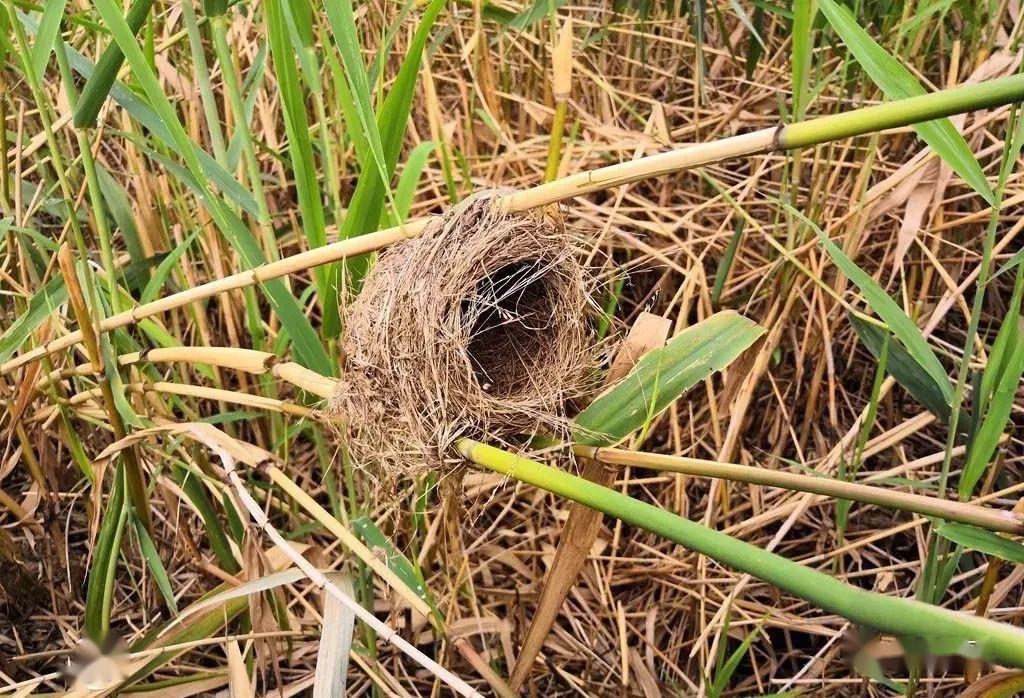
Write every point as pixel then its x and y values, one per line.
pixel 803 135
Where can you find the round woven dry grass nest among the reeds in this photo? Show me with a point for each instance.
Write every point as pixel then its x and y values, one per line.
pixel 481 327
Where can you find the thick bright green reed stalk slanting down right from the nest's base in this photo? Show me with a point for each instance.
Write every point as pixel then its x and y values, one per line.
pixel 943 632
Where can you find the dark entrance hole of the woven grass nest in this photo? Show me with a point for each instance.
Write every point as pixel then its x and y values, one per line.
pixel 509 316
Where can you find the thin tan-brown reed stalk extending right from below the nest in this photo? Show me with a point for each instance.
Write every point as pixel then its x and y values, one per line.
pixel 994 520
